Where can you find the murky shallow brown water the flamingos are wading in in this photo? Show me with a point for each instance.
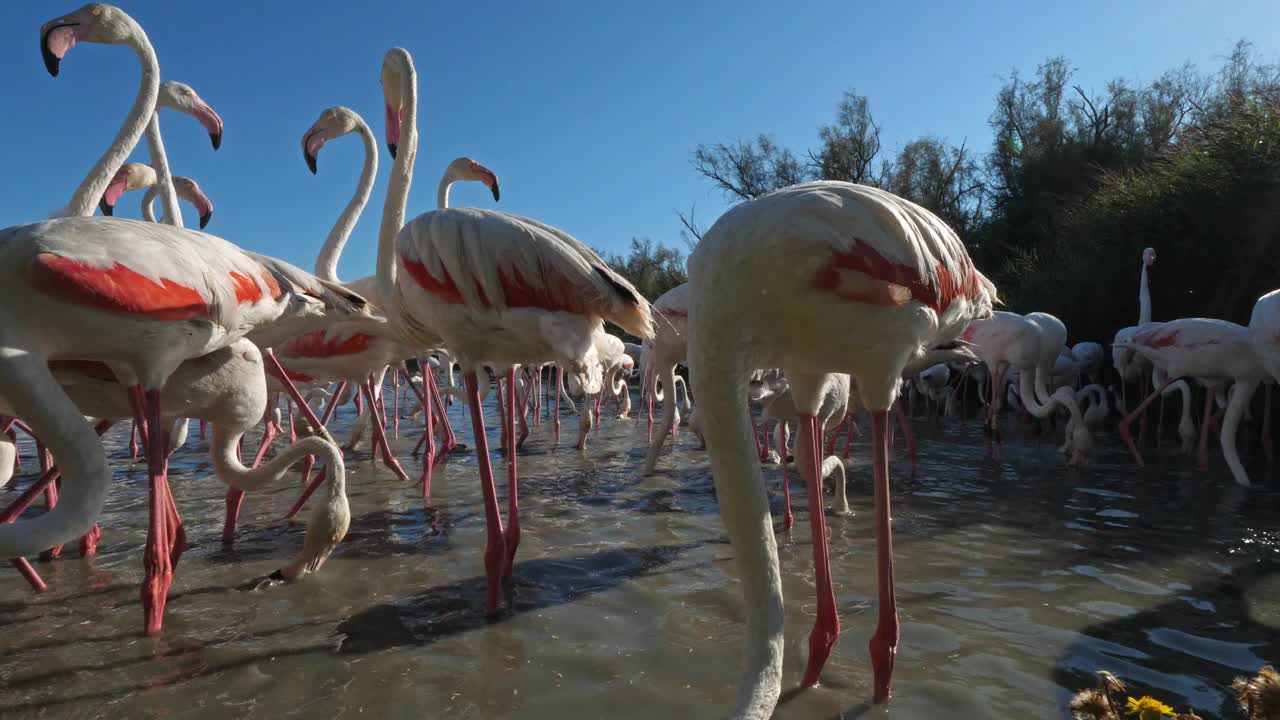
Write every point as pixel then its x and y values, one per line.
pixel 1017 580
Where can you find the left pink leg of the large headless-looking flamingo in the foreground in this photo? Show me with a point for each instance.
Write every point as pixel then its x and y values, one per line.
pixel 826 630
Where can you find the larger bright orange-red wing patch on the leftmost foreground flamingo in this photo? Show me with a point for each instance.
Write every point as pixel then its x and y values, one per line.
pixel 117 289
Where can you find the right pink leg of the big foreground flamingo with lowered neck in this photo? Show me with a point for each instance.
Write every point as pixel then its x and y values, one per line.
pixel 884 644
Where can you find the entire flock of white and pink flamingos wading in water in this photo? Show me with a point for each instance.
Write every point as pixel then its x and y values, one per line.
pixel 154 323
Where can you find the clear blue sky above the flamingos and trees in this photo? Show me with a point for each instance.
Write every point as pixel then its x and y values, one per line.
pixel 588 111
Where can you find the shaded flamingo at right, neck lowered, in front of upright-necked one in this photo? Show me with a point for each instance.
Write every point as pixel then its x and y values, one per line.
pixel 1213 353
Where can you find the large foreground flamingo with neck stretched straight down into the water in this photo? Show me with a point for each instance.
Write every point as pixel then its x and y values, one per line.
pixel 769 281
